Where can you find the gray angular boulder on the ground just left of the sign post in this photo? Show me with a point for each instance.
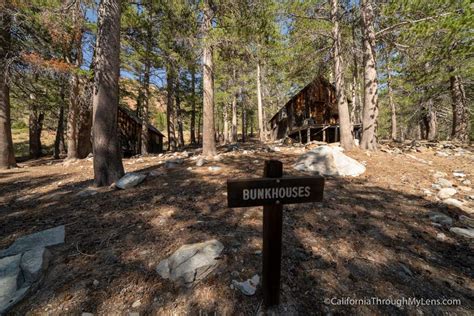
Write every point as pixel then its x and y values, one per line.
pixel 191 263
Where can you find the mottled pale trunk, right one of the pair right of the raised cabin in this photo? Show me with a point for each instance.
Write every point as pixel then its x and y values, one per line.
pixel 371 111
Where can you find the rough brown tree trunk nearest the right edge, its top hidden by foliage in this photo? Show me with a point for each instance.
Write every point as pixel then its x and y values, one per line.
pixel 461 121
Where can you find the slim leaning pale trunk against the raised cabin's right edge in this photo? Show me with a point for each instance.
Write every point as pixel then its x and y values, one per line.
pixel 347 142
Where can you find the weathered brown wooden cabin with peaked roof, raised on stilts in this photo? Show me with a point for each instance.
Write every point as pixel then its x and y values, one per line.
pixel 309 115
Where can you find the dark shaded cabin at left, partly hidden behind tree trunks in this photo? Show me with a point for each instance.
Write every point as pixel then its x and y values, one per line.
pixel 130 130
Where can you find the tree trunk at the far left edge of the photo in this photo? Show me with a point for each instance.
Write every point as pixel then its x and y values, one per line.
pixel 7 155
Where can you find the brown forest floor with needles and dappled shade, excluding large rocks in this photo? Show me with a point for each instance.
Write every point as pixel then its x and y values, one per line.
pixel 370 237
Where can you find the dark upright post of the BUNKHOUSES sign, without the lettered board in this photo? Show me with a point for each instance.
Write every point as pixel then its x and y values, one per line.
pixel 272 232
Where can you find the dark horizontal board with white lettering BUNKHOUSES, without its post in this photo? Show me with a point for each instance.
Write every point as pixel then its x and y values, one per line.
pixel 269 191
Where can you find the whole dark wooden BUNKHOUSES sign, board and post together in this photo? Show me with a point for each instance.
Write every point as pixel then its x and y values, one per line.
pixel 272 191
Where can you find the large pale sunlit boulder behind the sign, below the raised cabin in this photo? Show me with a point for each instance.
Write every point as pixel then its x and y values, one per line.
pixel 329 161
